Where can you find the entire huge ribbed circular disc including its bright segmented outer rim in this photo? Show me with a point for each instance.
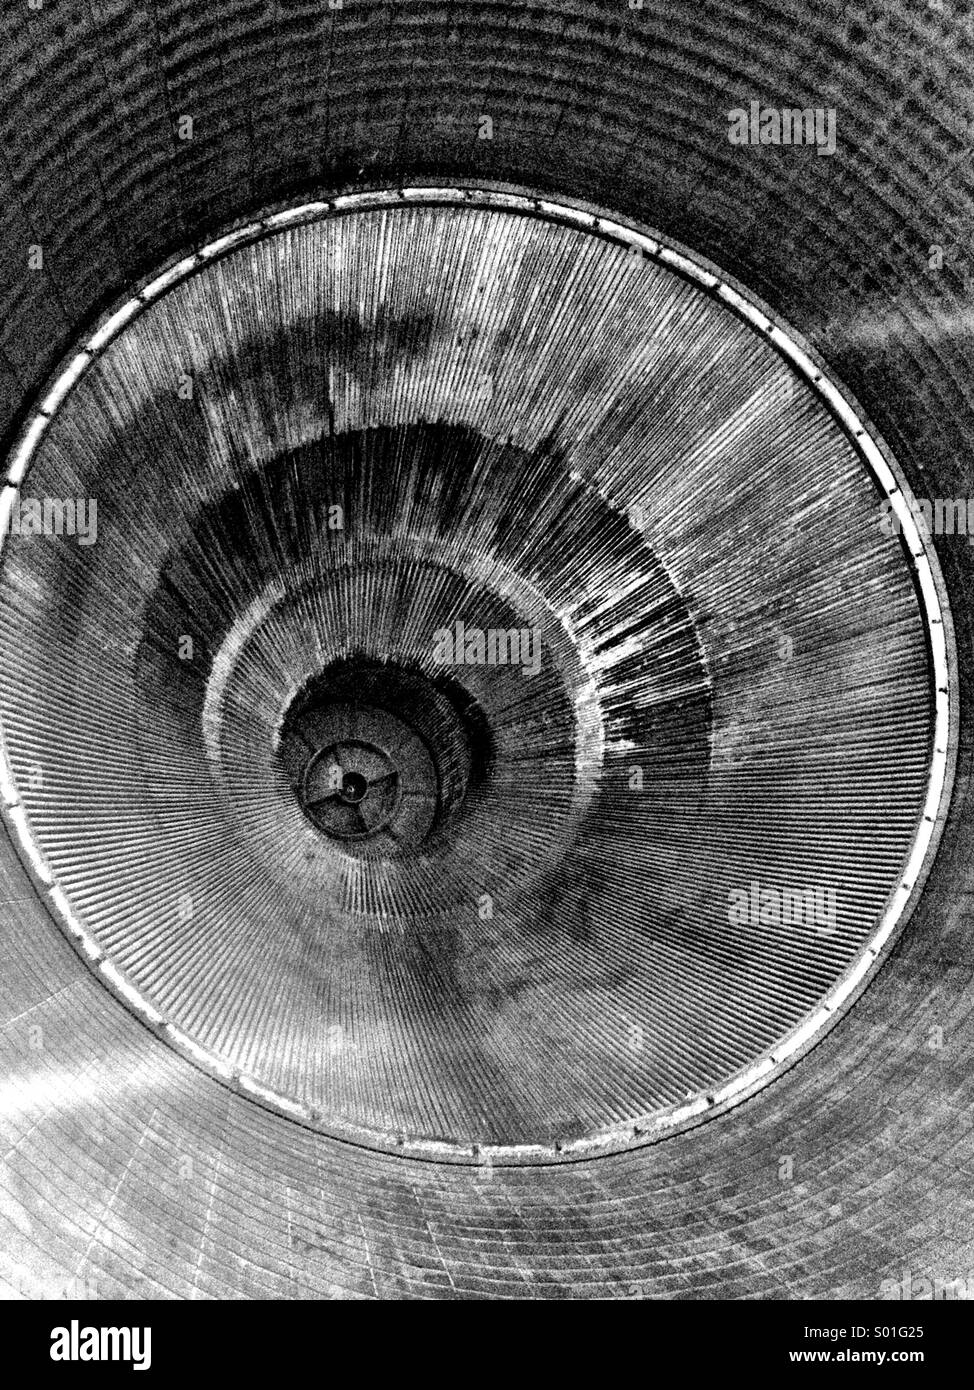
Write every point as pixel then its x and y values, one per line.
pixel 498 715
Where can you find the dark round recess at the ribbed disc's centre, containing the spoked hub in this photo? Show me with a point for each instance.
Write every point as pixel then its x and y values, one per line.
pixel 381 757
